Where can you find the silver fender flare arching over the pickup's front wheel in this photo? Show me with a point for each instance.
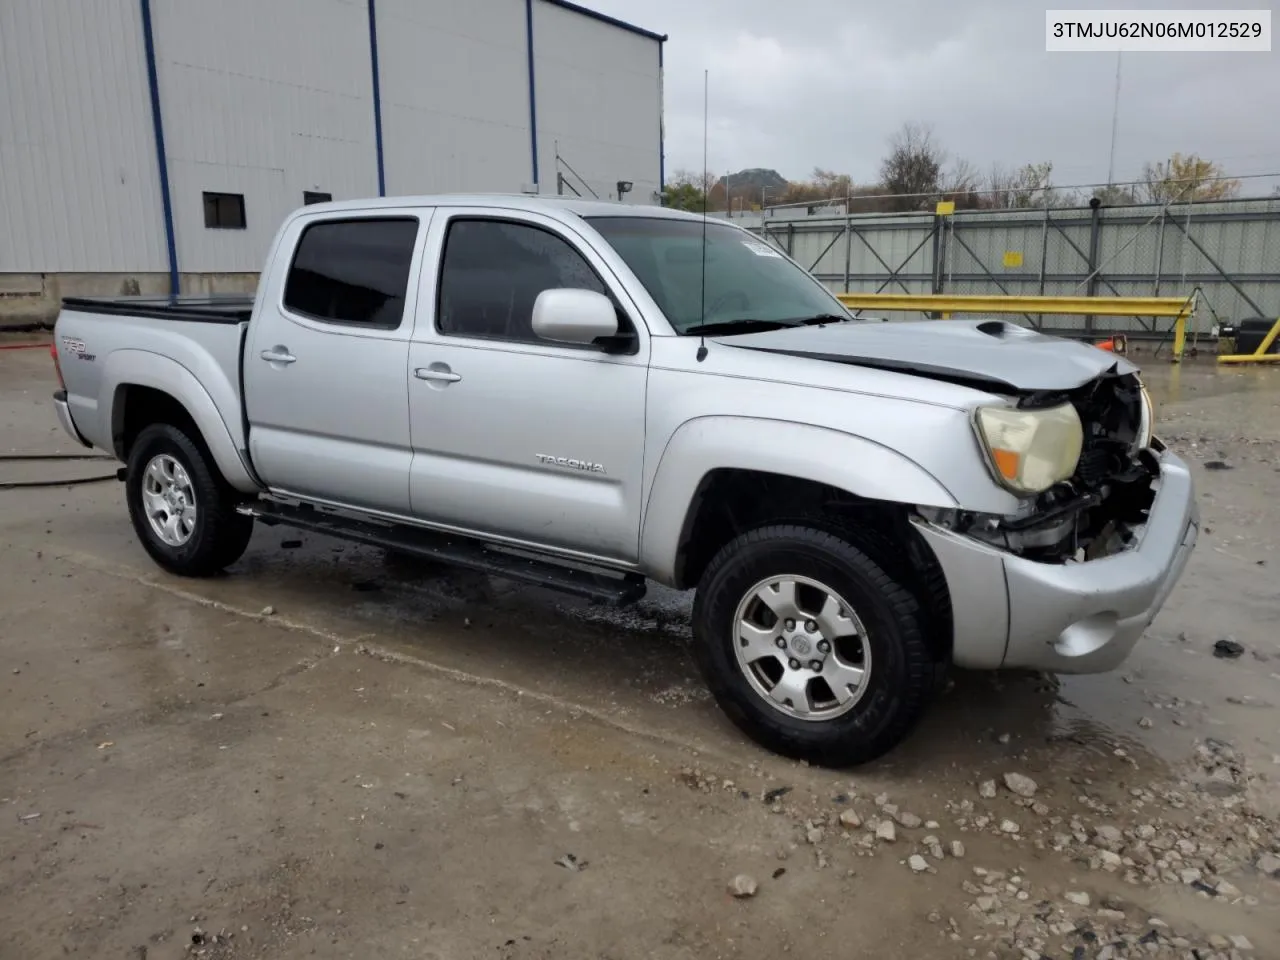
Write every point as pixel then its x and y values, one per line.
pixel 845 461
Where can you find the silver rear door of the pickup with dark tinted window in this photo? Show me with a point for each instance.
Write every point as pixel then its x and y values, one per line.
pixel 326 374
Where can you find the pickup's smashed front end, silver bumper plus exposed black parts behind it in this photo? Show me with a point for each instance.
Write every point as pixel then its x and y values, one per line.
pixel 1071 583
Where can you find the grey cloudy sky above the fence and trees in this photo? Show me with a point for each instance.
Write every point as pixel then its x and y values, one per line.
pixel 825 84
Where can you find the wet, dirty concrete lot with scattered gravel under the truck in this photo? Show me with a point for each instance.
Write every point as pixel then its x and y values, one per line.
pixel 397 761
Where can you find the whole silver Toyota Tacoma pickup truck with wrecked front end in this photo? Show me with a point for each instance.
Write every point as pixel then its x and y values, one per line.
pixel 592 396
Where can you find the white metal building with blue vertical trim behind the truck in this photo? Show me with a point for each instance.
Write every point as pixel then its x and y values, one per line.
pixel 148 140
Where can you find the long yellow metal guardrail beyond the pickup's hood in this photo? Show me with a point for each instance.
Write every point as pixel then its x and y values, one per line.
pixel 1177 308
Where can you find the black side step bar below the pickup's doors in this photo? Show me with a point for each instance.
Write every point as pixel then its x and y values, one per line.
pixel 454 551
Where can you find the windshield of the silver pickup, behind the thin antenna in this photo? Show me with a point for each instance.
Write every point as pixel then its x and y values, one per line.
pixel 747 280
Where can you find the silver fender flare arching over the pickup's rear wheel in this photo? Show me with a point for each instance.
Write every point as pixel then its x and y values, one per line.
pixel 138 368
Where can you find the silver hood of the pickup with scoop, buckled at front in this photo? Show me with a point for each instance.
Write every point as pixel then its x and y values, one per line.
pixel 990 355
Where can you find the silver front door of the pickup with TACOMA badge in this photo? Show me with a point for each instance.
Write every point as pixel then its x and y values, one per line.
pixel 518 437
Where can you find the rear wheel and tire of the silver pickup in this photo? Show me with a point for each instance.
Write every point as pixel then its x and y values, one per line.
pixel 182 510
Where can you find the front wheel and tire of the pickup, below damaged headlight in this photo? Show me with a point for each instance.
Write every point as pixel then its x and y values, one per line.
pixel 810 647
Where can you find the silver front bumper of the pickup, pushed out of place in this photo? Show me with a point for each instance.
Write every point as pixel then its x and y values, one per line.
pixel 1071 618
